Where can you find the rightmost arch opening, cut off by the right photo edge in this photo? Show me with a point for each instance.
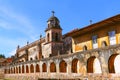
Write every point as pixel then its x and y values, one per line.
pixel 112 63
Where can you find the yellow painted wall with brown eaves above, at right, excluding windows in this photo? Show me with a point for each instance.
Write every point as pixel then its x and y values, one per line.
pixel 102 33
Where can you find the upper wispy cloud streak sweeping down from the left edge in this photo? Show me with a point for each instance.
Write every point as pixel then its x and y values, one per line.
pixel 12 20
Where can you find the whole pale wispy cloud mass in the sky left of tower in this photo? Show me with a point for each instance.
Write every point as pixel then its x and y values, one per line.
pixel 10 20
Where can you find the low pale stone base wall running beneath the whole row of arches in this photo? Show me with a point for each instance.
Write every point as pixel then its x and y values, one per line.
pixel 62 76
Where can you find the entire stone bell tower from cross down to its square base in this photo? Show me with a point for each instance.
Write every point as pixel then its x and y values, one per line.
pixel 53 38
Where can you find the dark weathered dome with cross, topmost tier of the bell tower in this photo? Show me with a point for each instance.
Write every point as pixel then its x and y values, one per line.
pixel 53 22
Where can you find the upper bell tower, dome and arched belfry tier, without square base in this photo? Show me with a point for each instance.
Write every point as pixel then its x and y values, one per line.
pixel 53 30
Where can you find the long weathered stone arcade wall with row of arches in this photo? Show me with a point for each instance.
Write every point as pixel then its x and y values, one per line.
pixel 71 70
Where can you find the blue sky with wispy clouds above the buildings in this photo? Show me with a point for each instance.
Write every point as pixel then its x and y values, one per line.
pixel 26 20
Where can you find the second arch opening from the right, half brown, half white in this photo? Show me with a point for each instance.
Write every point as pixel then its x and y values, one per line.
pixel 93 65
